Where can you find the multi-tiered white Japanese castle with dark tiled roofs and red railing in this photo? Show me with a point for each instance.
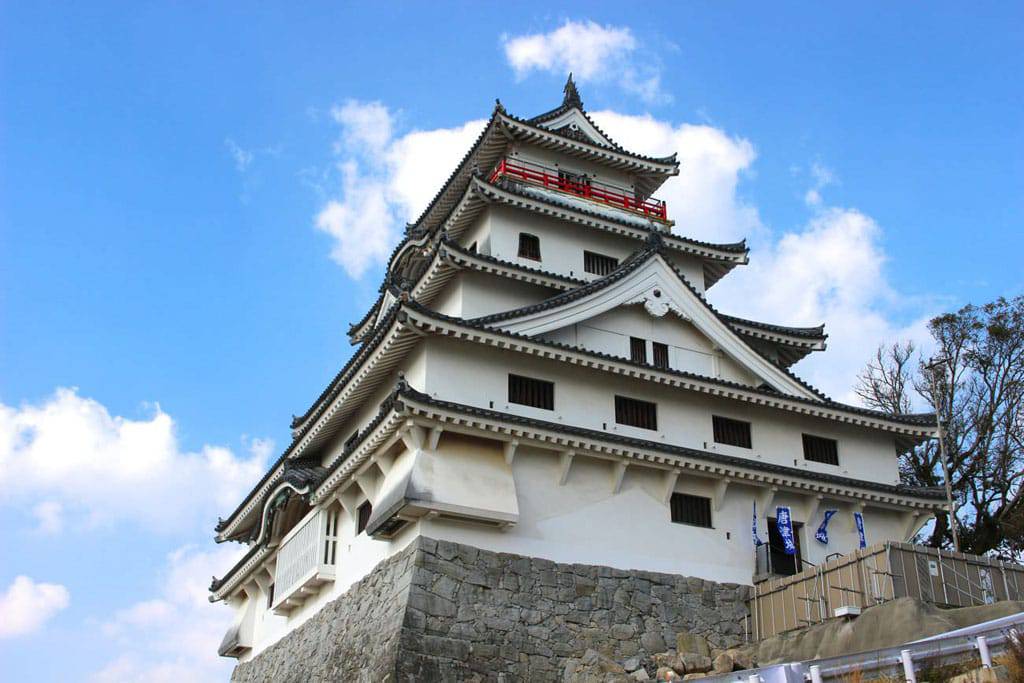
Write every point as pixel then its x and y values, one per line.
pixel 543 385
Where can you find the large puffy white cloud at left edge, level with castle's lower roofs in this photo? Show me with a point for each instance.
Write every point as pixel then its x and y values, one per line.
pixel 71 453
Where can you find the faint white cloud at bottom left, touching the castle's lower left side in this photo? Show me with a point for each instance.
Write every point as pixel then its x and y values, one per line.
pixel 175 636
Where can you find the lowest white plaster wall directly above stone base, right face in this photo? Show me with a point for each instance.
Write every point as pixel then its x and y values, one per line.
pixel 584 522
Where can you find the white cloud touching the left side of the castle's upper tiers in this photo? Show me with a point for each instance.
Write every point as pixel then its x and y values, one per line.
pixel 386 181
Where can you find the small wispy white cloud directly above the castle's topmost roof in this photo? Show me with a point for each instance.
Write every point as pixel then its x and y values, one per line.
pixel 593 53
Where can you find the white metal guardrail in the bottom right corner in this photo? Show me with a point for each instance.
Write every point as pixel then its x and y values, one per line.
pixel 988 641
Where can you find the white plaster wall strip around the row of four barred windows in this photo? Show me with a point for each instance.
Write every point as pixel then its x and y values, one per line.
pixel 477 375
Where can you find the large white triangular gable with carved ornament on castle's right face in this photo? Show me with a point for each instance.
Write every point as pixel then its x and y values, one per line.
pixel 657 290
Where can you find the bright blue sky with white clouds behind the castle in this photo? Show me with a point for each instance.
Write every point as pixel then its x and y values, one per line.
pixel 195 203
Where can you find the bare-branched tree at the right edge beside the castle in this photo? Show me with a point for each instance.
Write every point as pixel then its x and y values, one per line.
pixel 982 399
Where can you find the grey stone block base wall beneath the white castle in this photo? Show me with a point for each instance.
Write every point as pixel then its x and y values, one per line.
pixel 443 612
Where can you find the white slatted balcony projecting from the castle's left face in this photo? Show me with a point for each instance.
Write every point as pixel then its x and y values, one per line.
pixel 306 561
